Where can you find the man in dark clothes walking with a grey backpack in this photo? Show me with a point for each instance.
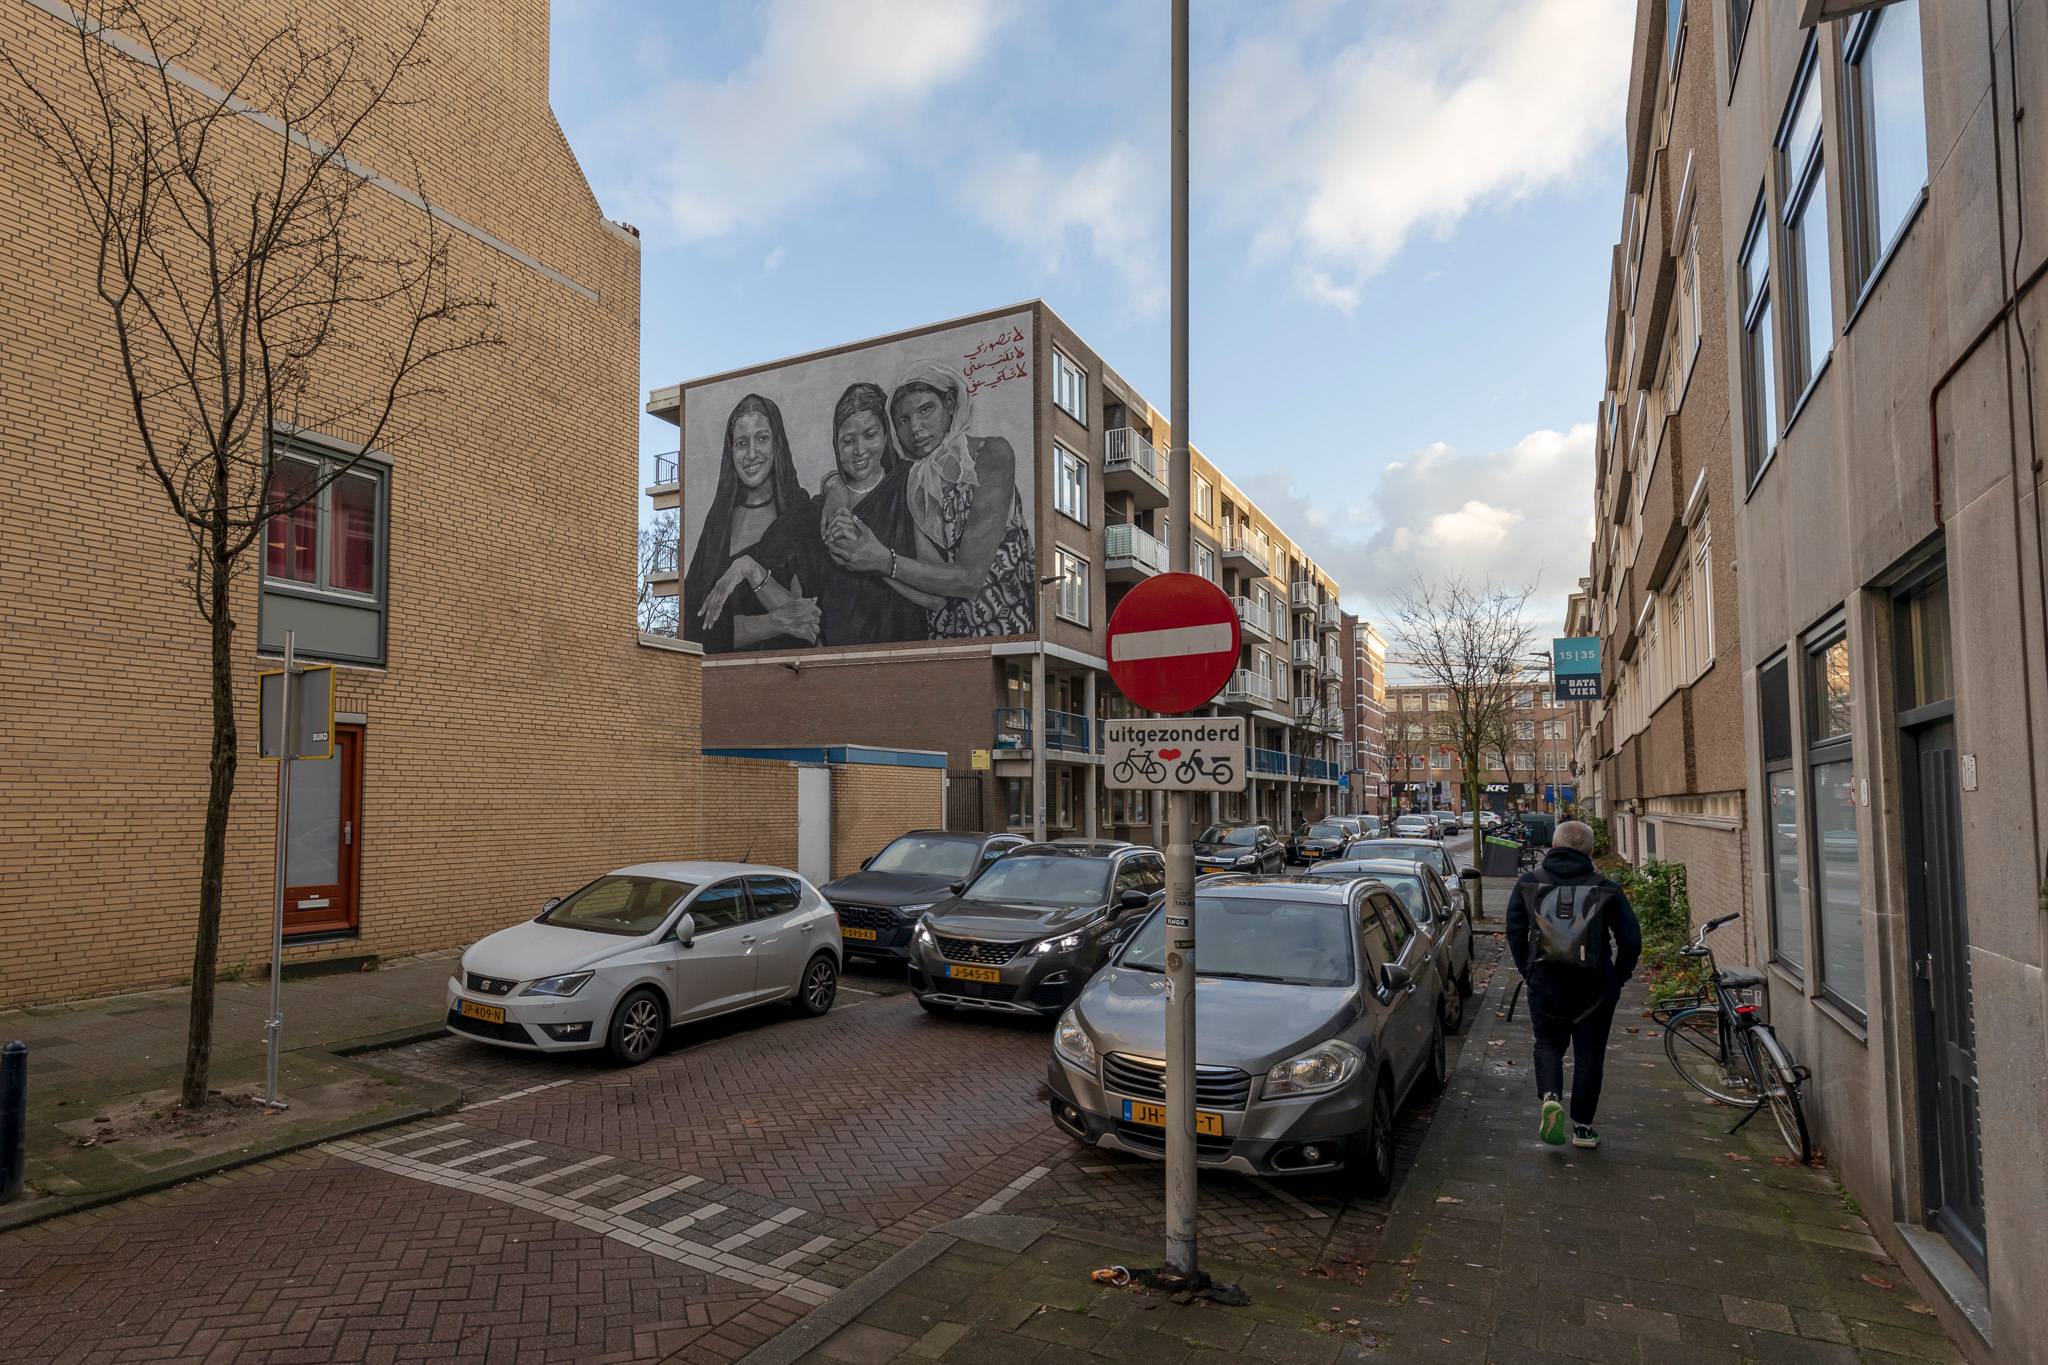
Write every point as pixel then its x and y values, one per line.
pixel 1576 942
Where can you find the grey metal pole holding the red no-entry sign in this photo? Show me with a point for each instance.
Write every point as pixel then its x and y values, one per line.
pixel 1181 1243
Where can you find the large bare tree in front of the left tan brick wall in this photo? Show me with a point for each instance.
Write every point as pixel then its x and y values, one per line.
pixel 251 296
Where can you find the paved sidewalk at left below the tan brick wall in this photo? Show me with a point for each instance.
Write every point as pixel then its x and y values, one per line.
pixel 103 1080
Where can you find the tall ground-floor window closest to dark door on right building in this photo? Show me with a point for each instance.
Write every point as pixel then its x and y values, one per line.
pixel 1832 783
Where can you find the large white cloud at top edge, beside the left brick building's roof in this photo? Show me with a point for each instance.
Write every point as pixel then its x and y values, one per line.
pixel 833 85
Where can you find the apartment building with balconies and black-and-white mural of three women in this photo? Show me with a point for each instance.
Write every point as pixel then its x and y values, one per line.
pixel 1002 666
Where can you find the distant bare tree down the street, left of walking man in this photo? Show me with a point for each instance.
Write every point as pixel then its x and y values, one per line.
pixel 1465 644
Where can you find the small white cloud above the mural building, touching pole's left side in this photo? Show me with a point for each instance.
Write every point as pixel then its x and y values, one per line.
pixel 1105 202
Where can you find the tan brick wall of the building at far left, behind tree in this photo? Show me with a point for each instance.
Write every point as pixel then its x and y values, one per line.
pixel 519 738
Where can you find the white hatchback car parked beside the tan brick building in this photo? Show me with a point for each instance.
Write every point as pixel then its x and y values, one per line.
pixel 640 951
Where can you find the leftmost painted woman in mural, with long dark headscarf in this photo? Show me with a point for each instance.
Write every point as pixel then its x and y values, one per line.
pixel 757 492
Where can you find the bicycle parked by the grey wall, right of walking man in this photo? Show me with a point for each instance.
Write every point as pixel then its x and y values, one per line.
pixel 1725 1051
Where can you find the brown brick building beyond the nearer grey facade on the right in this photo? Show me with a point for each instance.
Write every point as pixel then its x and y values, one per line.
pixel 1662 584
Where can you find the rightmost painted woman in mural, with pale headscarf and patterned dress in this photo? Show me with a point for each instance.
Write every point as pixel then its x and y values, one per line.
pixel 974 543
